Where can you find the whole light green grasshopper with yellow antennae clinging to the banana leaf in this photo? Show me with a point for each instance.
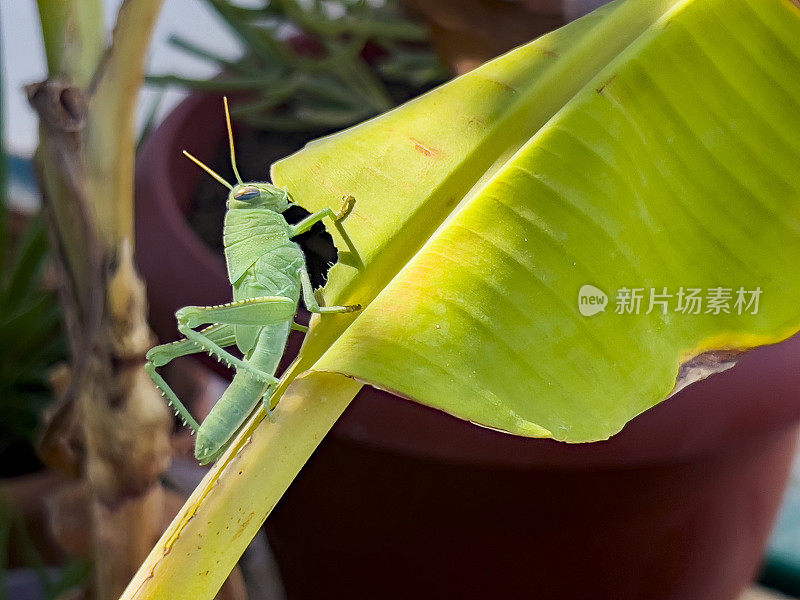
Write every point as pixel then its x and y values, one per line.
pixel 268 273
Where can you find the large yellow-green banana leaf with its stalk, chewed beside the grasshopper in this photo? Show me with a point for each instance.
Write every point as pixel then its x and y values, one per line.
pixel 640 157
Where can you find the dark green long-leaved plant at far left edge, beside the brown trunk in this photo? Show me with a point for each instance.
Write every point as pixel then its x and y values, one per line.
pixel 32 345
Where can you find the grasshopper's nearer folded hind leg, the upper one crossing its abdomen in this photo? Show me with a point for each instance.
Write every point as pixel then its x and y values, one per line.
pixel 265 310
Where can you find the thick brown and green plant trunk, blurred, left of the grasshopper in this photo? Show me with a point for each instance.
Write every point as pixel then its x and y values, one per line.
pixel 105 437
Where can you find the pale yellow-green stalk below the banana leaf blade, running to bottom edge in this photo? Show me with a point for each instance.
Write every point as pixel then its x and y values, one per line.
pixel 204 541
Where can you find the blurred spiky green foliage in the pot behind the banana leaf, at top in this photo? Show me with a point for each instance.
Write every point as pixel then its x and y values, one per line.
pixel 305 68
